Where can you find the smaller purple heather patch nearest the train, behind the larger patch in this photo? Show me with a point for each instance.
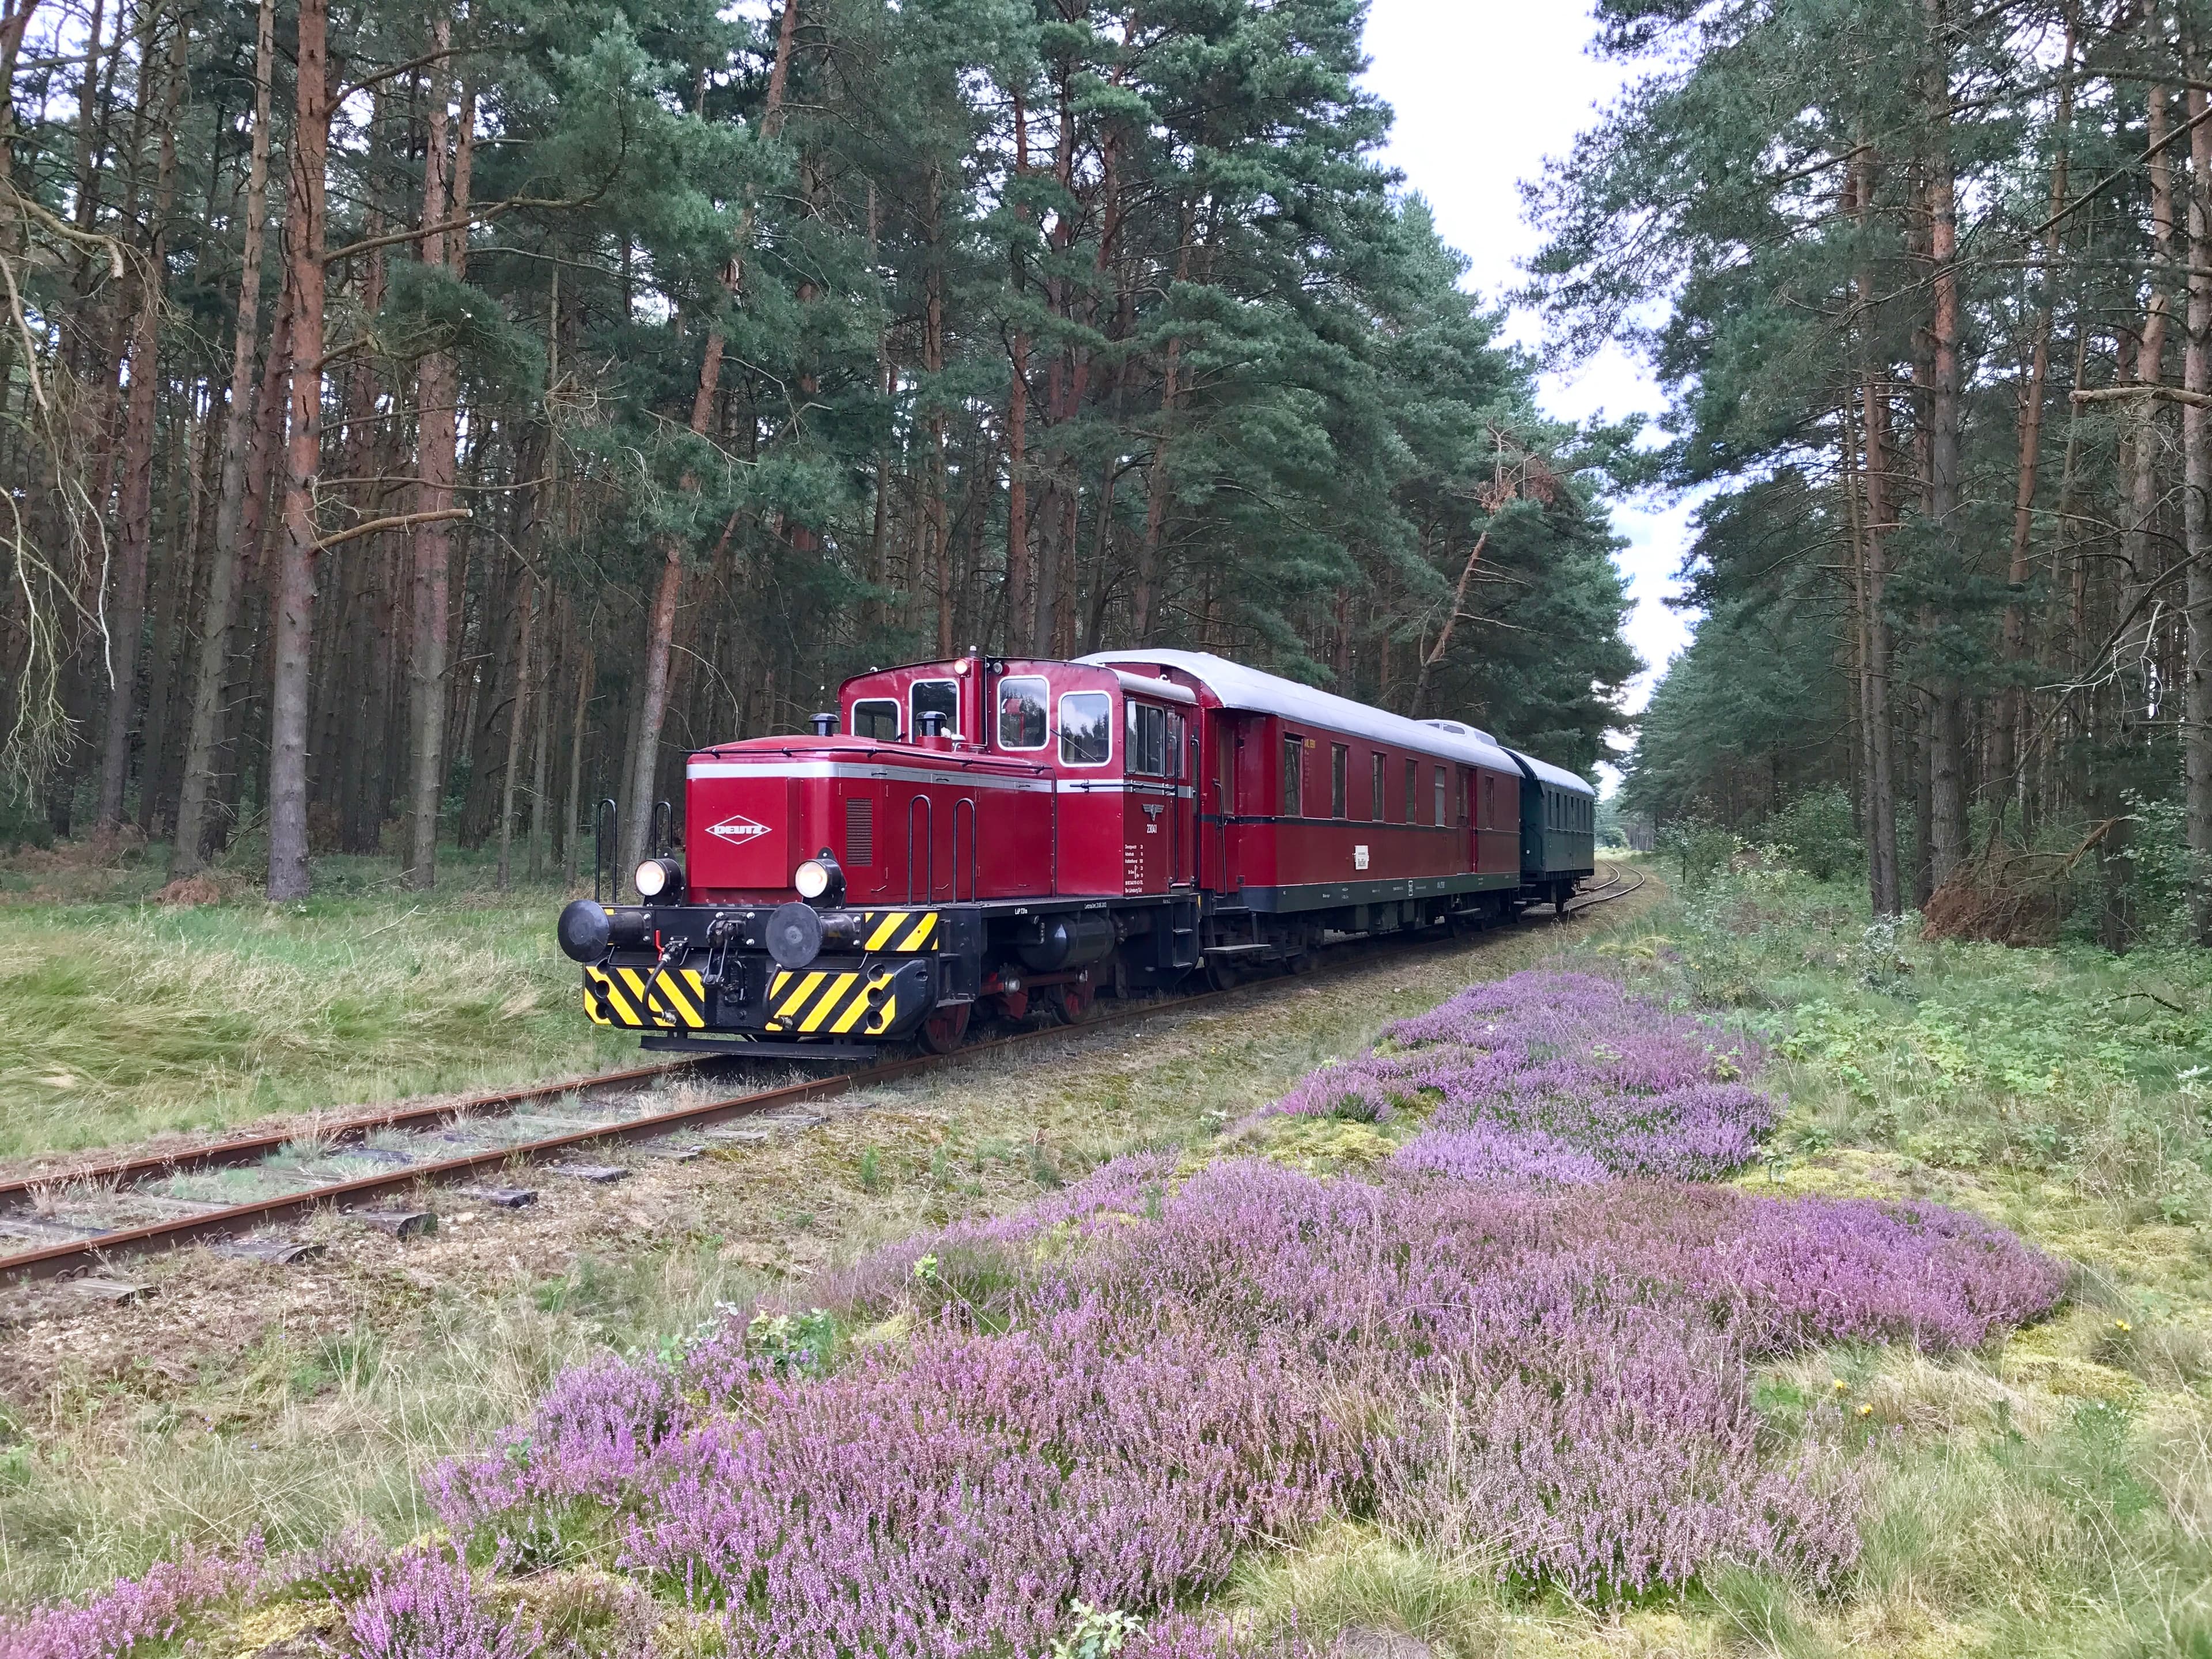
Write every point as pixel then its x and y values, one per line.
pixel 1554 1078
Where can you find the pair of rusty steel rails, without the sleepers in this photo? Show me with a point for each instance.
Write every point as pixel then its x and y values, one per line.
pixel 59 1260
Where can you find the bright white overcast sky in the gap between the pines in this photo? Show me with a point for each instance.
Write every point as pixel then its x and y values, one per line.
pixel 1485 92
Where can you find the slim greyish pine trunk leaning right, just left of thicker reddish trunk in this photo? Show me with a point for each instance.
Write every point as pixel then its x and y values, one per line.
pixel 222 605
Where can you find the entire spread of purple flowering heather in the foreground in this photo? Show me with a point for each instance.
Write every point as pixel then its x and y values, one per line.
pixel 1112 1397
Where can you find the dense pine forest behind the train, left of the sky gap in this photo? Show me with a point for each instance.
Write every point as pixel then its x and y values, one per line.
pixel 424 424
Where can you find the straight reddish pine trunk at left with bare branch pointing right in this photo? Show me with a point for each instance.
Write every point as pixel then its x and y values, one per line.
pixel 293 614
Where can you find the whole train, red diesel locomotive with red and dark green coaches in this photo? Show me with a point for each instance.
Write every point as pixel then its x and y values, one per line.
pixel 1012 835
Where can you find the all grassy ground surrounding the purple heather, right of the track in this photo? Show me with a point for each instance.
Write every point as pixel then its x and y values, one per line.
pixel 2049 1494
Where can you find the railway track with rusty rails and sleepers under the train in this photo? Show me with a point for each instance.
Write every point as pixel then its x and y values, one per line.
pixel 240 1189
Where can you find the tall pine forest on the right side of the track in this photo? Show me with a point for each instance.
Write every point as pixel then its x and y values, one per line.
pixel 1932 286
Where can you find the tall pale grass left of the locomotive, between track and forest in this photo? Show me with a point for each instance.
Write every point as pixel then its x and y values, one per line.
pixel 123 1019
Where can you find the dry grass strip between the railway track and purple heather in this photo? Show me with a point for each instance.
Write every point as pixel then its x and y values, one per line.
pixel 284 1401
